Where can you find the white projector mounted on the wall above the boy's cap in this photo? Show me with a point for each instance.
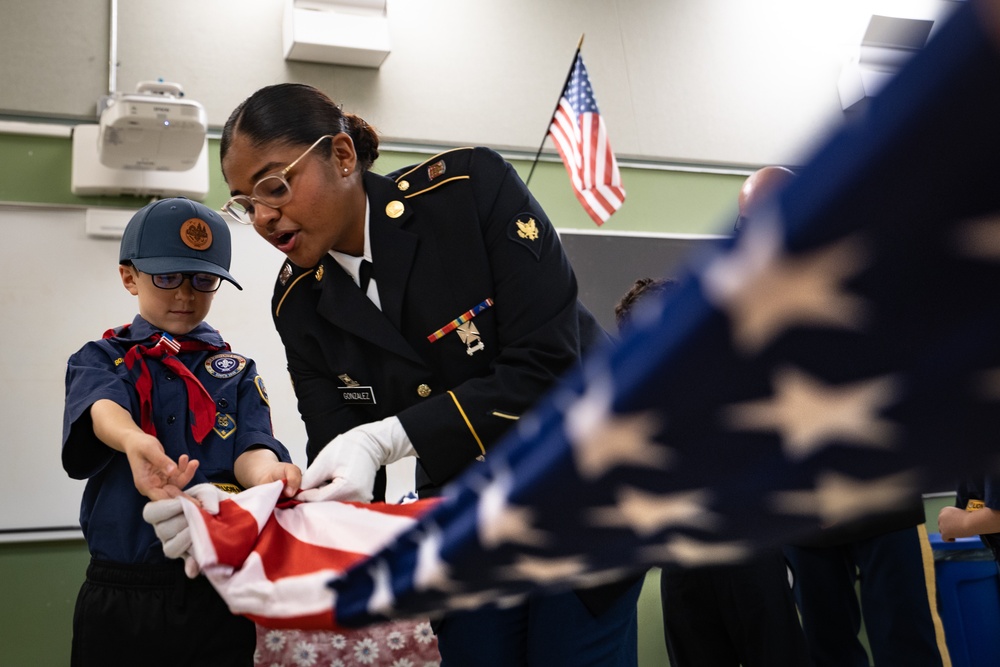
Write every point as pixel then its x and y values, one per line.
pixel 152 129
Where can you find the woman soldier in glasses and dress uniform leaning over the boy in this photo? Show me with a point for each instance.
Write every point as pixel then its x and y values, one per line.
pixel 470 313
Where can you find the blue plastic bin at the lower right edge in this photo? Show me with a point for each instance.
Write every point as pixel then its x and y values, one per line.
pixel 969 600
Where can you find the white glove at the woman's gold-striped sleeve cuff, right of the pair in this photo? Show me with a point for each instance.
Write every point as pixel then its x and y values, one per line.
pixel 345 469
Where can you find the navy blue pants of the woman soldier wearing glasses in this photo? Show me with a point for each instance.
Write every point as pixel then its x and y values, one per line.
pixel 548 631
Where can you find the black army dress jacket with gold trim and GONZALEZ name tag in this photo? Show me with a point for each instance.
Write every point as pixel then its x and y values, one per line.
pixel 455 235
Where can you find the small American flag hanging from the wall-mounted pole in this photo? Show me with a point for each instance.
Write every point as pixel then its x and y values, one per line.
pixel 578 132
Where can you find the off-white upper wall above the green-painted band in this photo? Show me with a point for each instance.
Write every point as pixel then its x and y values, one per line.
pixel 729 82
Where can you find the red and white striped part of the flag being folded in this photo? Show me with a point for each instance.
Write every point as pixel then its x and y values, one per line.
pixel 271 559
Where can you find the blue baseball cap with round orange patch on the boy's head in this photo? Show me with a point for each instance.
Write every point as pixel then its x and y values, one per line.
pixel 178 235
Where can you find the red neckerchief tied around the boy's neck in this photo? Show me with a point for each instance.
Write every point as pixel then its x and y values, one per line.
pixel 165 348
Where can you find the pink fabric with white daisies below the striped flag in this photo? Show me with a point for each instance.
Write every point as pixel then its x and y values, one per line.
pixel 394 644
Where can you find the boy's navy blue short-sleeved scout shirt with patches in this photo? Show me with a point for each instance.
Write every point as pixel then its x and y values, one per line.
pixel 111 511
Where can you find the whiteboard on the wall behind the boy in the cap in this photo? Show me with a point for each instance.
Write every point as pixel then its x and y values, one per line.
pixel 61 288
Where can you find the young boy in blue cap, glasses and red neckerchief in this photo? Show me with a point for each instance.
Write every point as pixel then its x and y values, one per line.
pixel 164 388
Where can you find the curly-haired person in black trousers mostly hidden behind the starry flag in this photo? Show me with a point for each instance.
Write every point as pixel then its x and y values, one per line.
pixel 723 616
